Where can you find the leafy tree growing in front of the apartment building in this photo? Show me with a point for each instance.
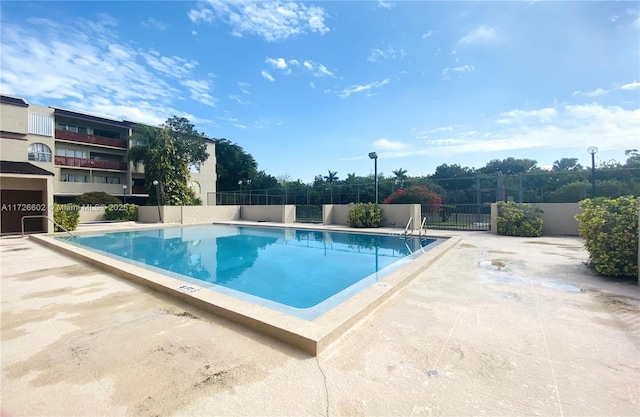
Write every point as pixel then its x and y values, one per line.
pixel 166 152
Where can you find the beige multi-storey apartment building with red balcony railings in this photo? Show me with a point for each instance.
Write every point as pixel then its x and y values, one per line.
pixel 52 154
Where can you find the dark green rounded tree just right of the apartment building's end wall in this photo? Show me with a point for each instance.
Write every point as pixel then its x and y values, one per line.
pixel 233 164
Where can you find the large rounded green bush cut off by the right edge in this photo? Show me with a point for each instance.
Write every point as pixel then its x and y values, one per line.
pixel 610 230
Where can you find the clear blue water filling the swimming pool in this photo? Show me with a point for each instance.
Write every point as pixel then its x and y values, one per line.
pixel 289 269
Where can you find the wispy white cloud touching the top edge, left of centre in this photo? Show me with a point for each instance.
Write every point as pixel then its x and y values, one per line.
pixel 271 20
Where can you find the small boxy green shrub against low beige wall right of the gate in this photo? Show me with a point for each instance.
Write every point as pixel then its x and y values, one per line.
pixel 519 219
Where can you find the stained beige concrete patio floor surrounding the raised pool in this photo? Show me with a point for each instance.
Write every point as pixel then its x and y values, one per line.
pixel 496 326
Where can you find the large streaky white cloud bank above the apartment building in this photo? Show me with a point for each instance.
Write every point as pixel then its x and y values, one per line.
pixel 91 69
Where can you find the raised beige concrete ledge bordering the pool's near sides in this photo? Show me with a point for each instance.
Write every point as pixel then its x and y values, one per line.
pixel 312 336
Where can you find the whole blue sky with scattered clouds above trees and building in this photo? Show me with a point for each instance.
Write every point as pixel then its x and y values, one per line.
pixel 307 87
